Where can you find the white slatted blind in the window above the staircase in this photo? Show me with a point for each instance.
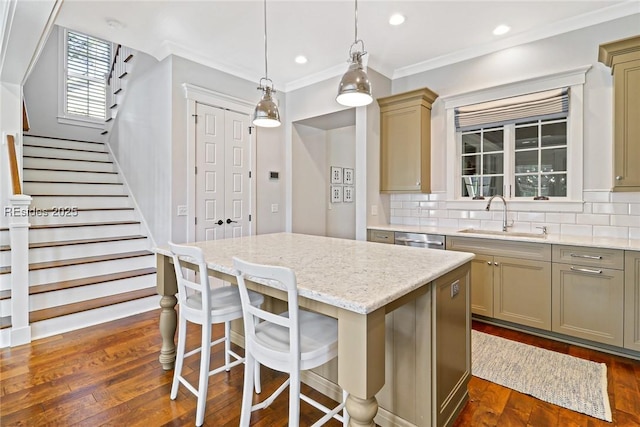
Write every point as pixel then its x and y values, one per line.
pixel 88 61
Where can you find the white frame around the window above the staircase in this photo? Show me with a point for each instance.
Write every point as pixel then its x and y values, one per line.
pixel 63 116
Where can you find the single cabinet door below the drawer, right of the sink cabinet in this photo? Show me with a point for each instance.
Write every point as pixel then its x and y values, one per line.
pixel 588 303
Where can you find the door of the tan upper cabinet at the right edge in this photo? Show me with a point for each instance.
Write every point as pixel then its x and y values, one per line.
pixel 626 77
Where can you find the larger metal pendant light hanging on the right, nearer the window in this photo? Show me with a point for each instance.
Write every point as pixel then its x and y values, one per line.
pixel 355 89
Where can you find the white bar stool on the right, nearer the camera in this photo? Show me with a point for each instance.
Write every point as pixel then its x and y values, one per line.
pixel 293 341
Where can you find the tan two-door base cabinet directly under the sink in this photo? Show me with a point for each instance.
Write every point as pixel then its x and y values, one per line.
pixel 510 280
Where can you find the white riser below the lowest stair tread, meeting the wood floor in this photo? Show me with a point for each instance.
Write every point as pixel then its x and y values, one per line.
pixel 75 321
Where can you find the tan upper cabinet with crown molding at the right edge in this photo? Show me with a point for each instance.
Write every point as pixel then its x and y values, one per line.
pixel 623 56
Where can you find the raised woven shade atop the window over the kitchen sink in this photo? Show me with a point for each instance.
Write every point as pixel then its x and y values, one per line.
pixel 551 104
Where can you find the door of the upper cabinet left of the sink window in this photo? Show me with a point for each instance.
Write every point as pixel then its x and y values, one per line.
pixel 403 139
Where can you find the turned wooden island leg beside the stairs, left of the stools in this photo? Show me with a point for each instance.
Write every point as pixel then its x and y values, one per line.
pixel 167 288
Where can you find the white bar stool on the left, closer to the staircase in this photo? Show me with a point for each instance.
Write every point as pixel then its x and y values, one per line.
pixel 201 304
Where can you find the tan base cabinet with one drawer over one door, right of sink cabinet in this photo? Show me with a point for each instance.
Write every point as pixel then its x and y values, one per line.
pixel 588 299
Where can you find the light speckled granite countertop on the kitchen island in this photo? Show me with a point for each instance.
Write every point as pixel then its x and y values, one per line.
pixel 353 275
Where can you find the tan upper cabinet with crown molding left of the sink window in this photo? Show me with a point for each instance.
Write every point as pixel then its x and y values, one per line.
pixel 405 142
